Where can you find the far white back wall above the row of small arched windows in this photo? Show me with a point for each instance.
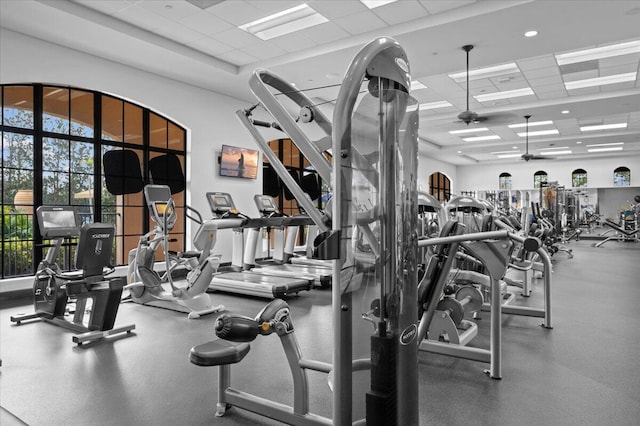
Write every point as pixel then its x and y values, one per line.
pixel 599 172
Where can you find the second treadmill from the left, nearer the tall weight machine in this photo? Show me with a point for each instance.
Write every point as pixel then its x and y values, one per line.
pixel 283 248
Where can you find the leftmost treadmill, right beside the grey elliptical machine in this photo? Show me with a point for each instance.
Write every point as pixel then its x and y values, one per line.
pixel 238 280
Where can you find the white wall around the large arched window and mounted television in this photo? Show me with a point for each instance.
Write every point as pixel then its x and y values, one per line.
pixel 209 117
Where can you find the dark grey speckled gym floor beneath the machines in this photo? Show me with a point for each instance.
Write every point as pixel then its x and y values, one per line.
pixel 586 371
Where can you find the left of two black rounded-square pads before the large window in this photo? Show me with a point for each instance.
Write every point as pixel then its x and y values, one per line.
pixel 122 172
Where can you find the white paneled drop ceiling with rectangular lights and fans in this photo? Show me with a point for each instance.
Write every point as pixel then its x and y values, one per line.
pixel 200 42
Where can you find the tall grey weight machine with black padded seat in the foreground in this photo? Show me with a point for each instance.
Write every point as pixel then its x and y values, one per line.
pixel 372 241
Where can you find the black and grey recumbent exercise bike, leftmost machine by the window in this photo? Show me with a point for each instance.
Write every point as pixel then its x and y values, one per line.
pixel 54 291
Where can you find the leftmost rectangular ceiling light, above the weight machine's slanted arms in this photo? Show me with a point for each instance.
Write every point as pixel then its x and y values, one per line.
pixel 284 22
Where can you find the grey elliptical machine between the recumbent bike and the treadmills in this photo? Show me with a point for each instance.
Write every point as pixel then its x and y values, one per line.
pixel 146 285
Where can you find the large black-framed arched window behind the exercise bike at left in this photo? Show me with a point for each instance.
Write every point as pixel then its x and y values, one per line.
pixel 53 141
